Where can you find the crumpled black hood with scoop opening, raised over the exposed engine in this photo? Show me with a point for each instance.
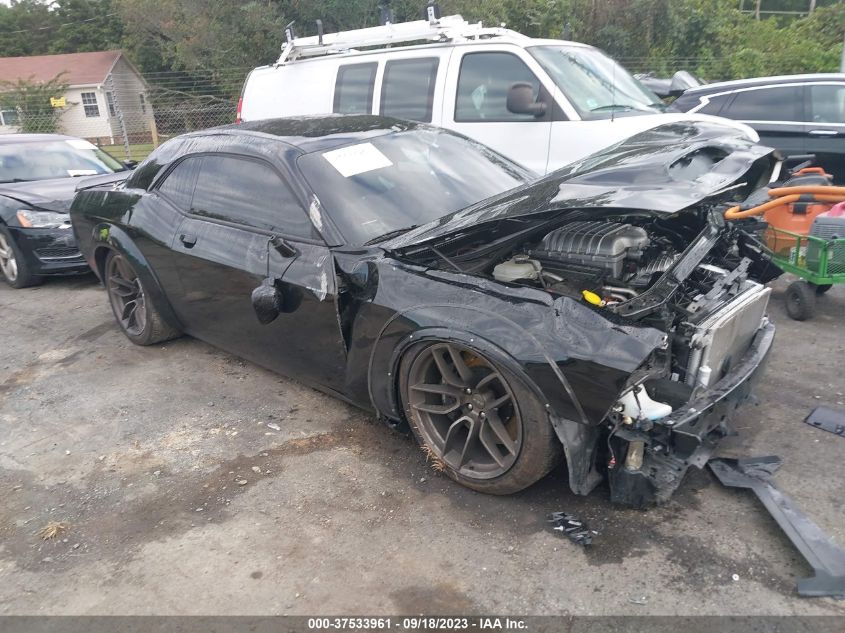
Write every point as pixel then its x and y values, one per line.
pixel 640 173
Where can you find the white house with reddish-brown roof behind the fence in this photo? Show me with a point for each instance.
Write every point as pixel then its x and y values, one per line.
pixel 106 96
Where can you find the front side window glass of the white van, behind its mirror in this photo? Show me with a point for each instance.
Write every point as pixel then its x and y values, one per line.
pixel 483 84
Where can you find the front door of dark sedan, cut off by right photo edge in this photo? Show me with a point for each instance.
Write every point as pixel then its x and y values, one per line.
pixel 826 126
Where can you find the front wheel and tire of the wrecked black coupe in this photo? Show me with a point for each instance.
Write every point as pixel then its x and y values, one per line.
pixel 499 451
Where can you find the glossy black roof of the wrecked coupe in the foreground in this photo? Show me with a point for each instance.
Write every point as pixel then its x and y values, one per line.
pixel 318 133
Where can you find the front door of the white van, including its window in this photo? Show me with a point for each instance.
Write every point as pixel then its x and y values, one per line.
pixel 475 103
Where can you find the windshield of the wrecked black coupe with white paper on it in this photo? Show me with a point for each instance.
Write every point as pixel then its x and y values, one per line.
pixel 397 181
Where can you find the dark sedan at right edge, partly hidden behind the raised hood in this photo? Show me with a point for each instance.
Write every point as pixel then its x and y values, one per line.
pixel 797 114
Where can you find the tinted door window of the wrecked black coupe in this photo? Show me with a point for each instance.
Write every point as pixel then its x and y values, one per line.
pixel 249 192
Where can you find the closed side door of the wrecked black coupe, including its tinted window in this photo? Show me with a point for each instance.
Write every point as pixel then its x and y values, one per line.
pixel 225 249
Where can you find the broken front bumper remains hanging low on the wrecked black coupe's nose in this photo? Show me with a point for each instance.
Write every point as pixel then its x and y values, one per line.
pixel 689 435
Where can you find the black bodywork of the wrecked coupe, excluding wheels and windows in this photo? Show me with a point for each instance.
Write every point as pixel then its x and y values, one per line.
pixel 351 311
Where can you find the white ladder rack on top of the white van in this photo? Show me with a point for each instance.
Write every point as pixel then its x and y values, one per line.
pixel 444 29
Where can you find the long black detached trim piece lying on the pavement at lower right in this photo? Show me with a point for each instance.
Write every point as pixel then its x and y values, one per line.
pixel 826 559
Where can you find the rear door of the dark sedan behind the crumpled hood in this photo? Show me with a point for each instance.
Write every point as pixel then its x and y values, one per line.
pixel 775 112
